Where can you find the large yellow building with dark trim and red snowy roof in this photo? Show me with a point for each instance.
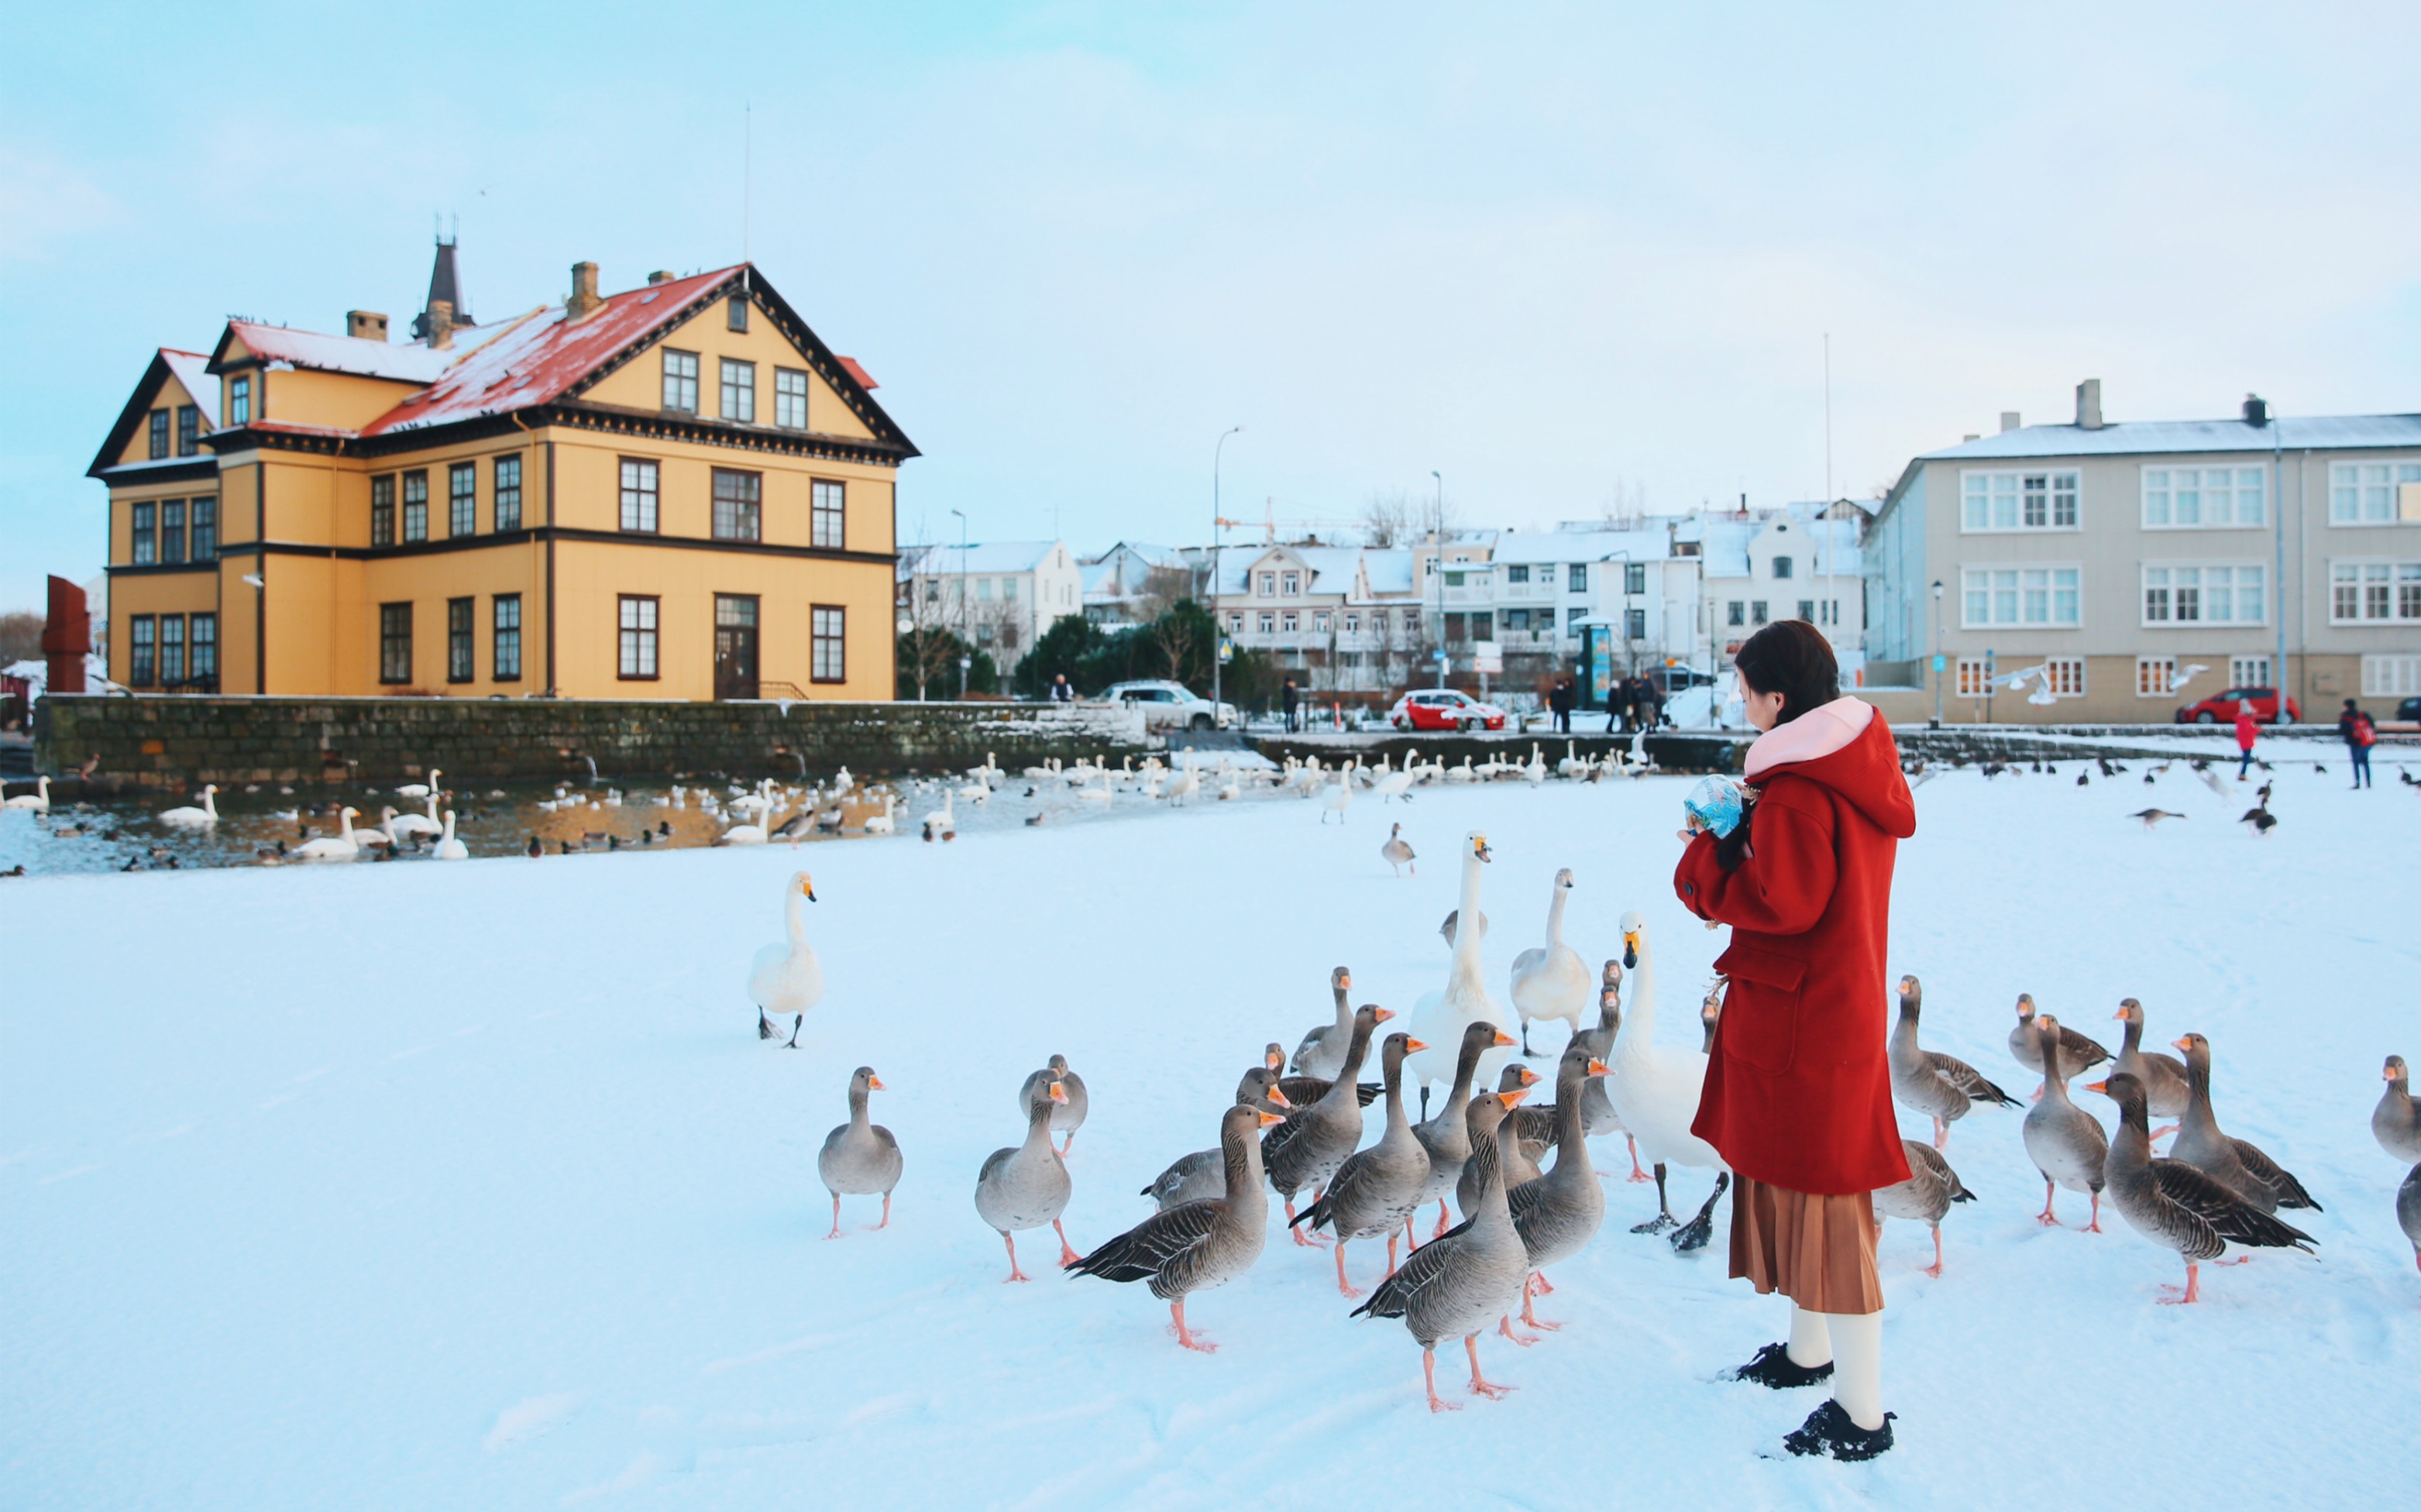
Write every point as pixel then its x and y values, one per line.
pixel 672 492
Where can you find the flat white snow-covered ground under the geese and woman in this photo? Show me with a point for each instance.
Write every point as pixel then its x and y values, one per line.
pixel 471 1187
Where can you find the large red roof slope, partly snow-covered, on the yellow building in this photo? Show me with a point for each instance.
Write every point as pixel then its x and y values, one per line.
pixel 539 357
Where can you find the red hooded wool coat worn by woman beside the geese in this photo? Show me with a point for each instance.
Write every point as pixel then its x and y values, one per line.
pixel 1800 1087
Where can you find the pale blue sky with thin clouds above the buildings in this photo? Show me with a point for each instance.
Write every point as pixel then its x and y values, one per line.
pixel 1548 250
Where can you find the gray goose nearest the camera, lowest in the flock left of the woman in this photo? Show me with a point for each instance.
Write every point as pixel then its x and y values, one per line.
pixel 1463 1279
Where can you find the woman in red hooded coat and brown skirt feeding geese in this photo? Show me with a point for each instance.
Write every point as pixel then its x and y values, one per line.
pixel 1798 1090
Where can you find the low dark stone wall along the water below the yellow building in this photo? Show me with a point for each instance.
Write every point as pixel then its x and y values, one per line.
pixel 183 741
